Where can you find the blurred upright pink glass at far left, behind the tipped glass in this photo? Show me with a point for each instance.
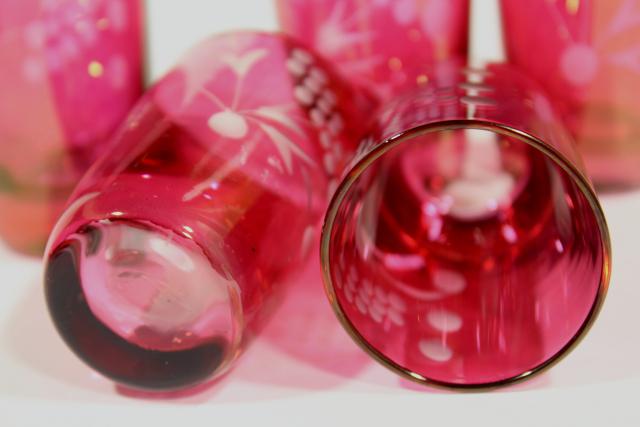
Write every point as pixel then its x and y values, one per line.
pixel 70 72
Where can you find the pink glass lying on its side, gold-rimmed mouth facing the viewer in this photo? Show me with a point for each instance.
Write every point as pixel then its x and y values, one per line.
pixel 465 247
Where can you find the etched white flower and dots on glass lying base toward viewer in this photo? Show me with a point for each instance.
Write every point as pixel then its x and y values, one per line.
pixel 291 131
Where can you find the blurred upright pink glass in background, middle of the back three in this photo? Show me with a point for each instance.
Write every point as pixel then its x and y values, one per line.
pixel 386 45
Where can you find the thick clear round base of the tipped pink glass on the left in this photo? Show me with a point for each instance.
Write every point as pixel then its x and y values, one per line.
pixel 141 304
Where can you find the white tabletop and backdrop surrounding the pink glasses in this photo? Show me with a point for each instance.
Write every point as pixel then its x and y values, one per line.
pixel 307 372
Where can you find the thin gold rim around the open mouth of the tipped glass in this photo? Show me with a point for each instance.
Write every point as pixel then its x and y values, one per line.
pixel 577 177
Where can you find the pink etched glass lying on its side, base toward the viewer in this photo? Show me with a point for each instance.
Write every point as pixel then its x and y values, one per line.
pixel 174 245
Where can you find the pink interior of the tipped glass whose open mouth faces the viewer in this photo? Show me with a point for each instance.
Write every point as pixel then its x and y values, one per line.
pixel 466 256
